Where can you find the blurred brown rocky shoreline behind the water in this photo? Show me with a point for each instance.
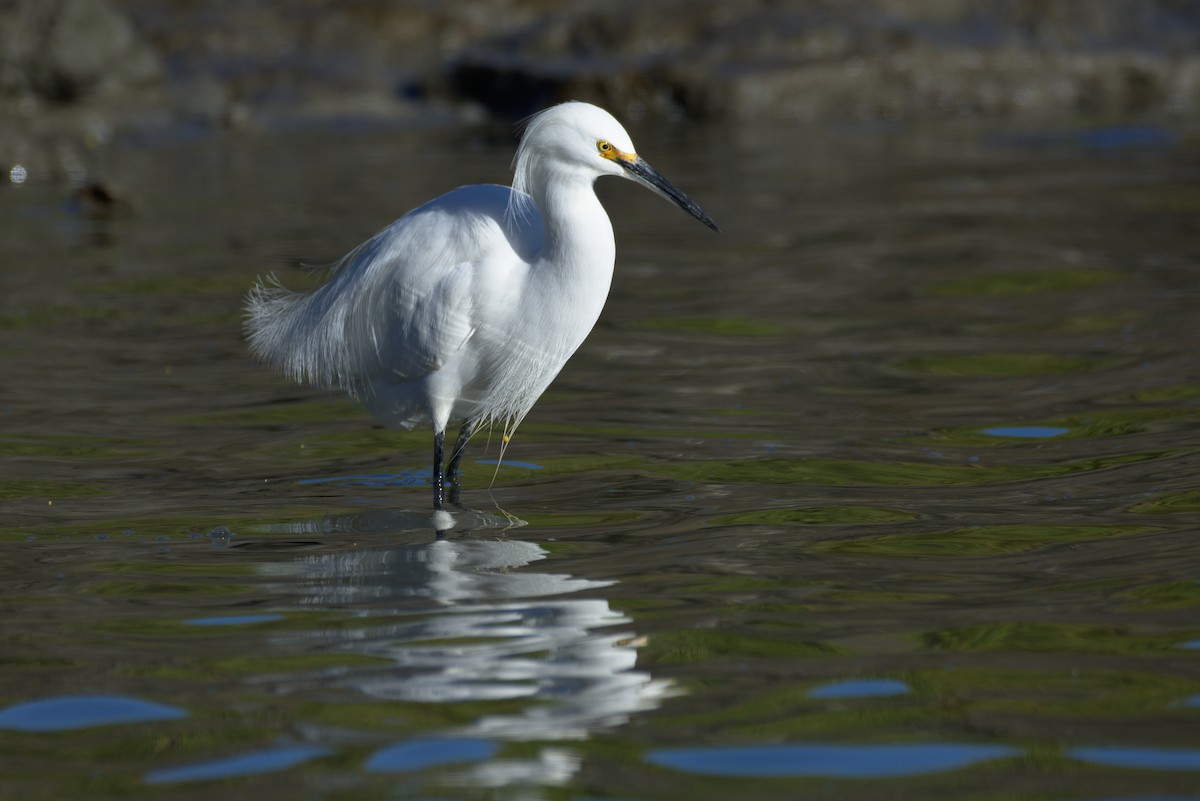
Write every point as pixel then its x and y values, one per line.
pixel 74 74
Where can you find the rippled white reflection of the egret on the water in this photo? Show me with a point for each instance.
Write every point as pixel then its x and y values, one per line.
pixel 500 631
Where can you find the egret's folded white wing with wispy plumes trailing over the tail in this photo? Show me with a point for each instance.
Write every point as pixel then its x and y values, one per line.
pixel 399 305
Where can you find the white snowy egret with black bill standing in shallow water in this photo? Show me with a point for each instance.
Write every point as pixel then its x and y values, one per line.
pixel 467 308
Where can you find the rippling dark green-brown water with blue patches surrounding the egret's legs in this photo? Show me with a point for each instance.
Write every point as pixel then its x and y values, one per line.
pixel 889 490
